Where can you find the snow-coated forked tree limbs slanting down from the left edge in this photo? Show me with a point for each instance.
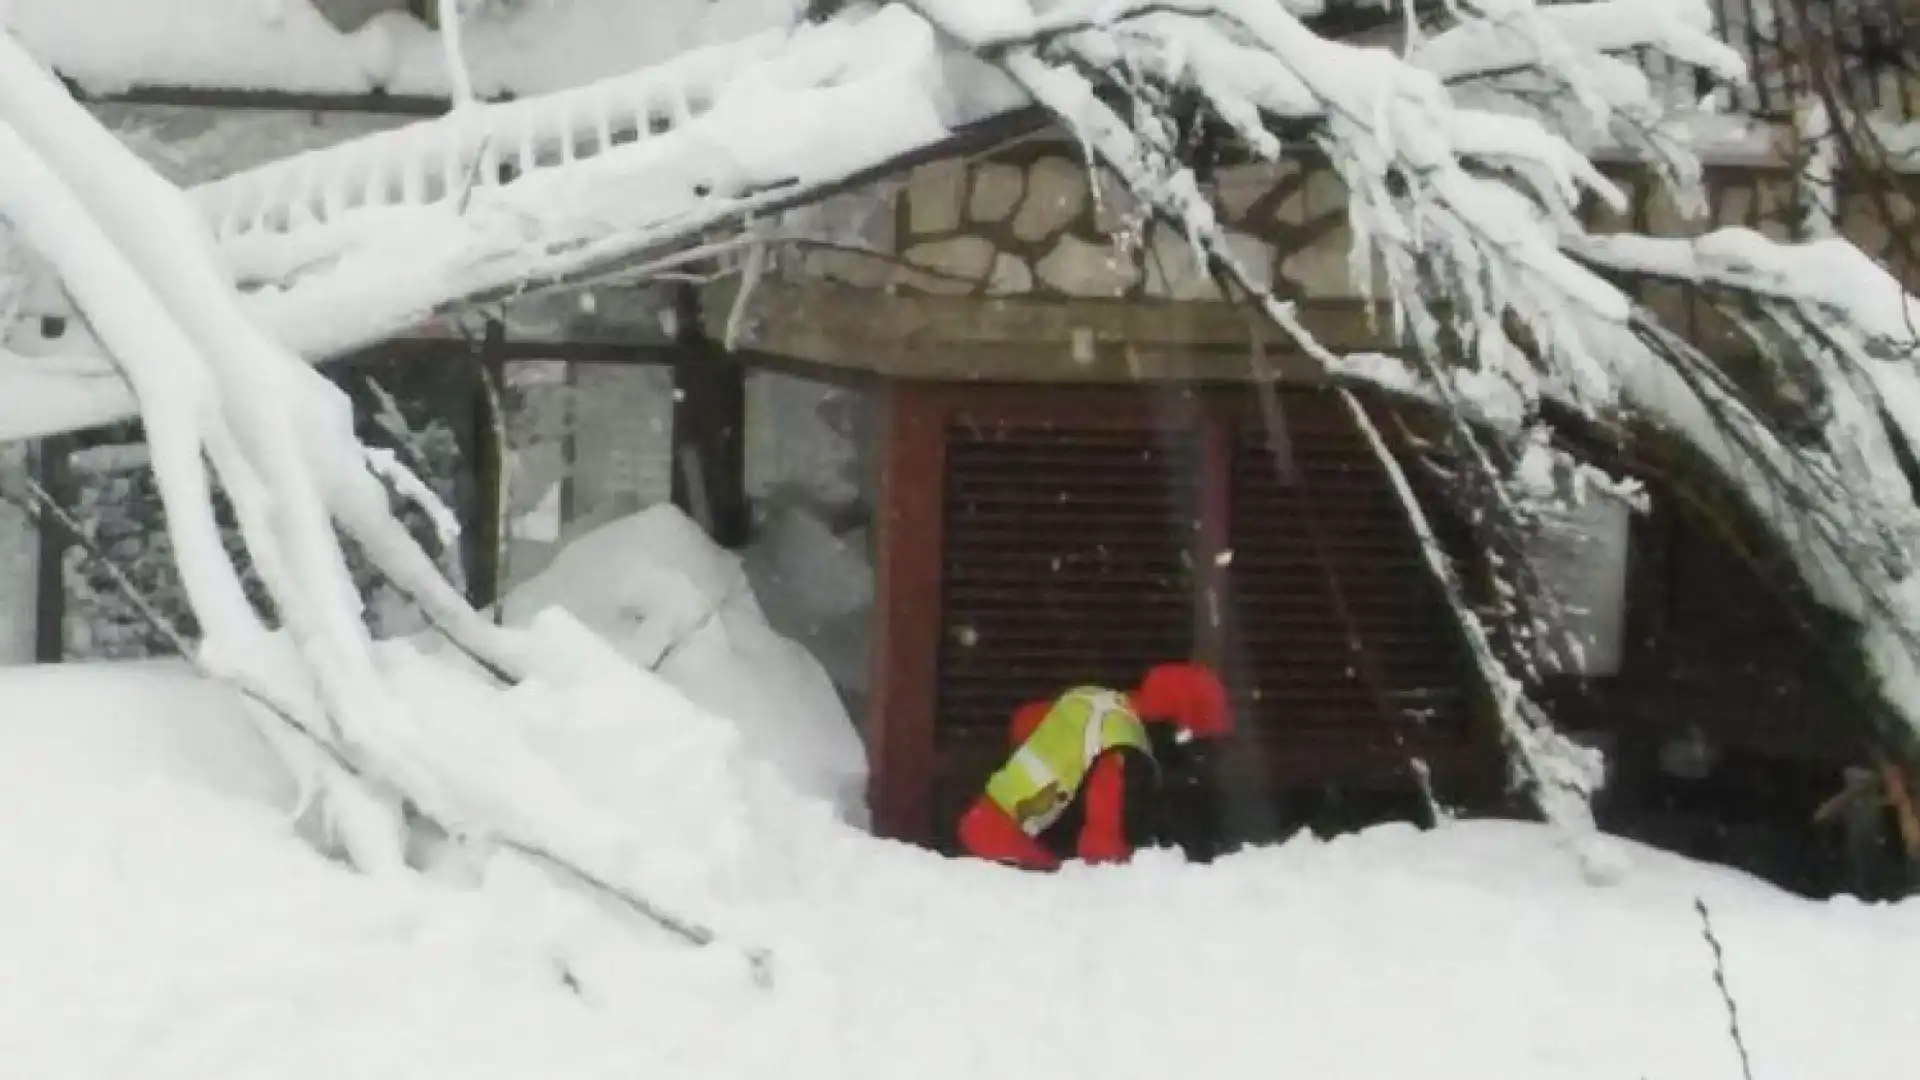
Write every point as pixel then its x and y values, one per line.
pixel 281 439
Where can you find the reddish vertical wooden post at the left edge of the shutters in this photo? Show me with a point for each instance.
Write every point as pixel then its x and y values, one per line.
pixel 907 614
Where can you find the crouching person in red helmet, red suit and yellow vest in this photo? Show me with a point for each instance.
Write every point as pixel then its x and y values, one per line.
pixel 1097 752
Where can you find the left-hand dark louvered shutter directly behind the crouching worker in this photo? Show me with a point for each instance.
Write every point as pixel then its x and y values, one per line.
pixel 1068 560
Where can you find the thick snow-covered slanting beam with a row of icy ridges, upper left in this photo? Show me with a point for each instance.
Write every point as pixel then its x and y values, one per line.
pixel 348 247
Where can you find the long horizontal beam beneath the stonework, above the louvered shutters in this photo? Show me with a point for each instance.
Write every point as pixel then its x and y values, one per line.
pixel 1034 339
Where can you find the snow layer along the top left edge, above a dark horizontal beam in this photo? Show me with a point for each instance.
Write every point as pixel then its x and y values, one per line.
pixel 291 47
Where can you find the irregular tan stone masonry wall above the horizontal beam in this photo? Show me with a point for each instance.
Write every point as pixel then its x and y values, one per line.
pixel 1028 224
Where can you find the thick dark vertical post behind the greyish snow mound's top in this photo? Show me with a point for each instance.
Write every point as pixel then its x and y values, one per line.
pixel 709 433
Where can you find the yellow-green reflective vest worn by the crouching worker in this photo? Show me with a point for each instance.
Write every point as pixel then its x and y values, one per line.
pixel 1040 781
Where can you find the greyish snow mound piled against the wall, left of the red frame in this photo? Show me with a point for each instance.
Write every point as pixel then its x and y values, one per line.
pixel 667 599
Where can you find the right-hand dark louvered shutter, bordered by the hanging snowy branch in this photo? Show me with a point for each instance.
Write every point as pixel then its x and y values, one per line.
pixel 1297 683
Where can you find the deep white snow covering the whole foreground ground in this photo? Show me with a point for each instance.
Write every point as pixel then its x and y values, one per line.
pixel 160 921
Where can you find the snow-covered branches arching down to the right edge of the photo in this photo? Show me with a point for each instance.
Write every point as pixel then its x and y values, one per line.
pixel 1838 497
